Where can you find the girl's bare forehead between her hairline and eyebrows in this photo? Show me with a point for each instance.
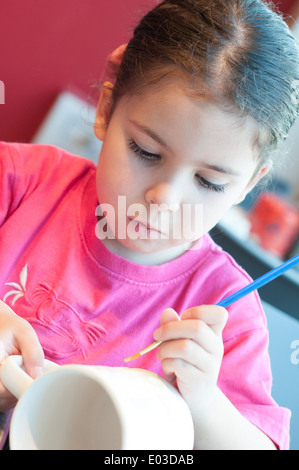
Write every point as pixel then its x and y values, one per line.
pixel 173 107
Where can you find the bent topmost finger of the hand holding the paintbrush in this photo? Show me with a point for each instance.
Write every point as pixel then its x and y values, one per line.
pixel 214 316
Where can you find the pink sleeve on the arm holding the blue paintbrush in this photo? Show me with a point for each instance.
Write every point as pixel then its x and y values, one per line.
pixel 246 380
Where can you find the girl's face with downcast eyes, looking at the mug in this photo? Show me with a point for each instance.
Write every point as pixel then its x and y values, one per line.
pixel 170 155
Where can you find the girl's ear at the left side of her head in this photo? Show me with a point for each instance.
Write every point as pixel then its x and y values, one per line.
pixel 103 111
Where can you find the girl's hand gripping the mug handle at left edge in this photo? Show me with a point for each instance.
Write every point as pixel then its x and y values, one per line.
pixel 18 337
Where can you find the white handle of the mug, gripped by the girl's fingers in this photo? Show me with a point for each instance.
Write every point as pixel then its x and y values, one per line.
pixel 15 379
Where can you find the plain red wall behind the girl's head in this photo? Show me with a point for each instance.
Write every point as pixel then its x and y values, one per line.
pixel 47 46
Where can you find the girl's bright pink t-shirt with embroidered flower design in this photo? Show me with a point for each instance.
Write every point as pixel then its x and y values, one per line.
pixel 90 306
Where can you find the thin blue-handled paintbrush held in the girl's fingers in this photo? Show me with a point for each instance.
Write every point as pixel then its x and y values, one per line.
pixel 257 284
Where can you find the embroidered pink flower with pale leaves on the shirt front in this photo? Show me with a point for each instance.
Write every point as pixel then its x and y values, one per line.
pixel 69 332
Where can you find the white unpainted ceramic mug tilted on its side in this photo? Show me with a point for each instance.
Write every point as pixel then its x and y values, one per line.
pixel 75 407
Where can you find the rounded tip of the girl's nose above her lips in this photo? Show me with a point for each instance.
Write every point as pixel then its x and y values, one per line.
pixel 165 196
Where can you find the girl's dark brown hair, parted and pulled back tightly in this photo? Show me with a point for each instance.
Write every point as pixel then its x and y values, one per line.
pixel 239 52
